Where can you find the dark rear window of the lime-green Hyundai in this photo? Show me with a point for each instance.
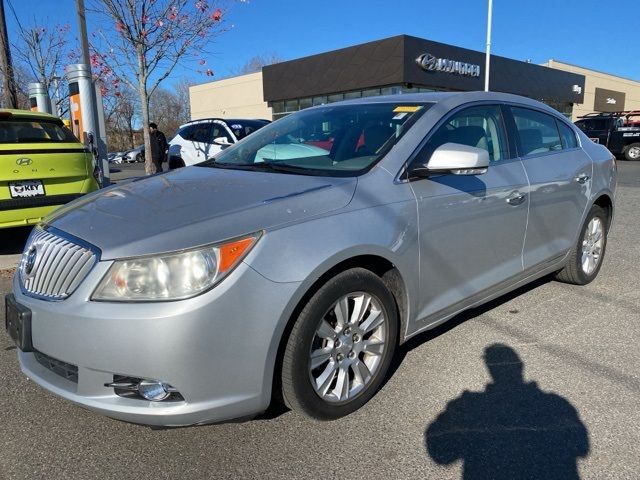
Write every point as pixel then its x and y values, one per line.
pixel 34 131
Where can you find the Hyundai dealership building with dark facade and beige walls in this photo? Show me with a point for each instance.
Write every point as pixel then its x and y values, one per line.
pixel 406 64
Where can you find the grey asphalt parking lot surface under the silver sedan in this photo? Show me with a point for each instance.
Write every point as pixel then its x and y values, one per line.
pixel 439 413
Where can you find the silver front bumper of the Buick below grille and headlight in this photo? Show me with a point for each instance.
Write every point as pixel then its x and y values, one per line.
pixel 217 349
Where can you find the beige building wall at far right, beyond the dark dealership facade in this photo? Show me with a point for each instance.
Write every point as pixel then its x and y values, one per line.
pixel 595 79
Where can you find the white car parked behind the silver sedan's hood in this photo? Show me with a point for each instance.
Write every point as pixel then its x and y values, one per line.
pixel 199 140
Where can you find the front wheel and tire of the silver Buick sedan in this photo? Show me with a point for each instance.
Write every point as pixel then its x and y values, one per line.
pixel 355 355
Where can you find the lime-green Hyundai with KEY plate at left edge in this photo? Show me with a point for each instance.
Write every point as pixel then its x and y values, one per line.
pixel 42 166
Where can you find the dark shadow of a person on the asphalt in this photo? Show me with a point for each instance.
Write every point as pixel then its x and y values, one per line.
pixel 511 430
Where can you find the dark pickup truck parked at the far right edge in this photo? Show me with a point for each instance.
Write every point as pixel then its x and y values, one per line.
pixel 619 132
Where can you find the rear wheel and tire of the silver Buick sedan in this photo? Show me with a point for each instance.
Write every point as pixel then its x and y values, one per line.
pixel 576 271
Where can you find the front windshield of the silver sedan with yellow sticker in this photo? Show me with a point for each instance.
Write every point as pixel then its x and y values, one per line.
pixel 336 140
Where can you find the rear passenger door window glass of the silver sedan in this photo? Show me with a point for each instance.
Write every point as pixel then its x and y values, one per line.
pixel 537 131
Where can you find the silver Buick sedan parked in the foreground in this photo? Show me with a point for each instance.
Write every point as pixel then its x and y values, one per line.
pixel 192 295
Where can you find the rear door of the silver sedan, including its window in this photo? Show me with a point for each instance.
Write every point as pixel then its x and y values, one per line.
pixel 560 176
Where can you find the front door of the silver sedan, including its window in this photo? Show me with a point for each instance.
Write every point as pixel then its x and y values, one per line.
pixel 471 236
